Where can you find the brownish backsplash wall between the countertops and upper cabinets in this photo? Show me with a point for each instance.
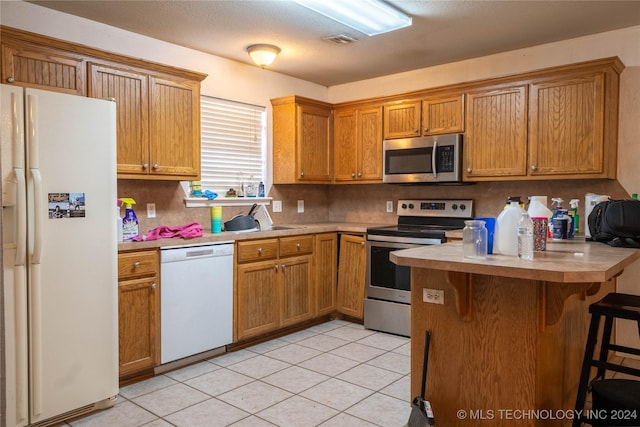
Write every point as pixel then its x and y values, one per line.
pixel 364 203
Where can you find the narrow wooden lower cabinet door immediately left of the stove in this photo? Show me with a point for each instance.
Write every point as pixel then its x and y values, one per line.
pixel 351 275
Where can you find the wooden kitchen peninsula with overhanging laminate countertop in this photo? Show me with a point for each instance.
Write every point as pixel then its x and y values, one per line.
pixel 508 339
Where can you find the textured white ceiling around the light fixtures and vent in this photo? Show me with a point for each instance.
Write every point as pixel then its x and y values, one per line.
pixel 442 31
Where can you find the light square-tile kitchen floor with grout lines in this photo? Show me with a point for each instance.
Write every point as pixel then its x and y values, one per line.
pixel 333 374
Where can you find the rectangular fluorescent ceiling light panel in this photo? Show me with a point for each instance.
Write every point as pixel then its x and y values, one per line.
pixel 370 17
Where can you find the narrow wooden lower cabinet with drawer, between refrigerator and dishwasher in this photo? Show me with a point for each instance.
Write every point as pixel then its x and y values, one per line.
pixel 138 312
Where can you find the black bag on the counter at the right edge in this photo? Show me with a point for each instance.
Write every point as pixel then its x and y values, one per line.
pixel 616 223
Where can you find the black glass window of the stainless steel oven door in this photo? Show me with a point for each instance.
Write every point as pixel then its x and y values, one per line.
pixel 384 273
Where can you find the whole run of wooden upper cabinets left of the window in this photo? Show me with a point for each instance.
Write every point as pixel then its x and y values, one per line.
pixel 158 107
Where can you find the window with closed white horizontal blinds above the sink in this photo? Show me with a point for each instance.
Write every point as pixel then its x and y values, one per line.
pixel 232 136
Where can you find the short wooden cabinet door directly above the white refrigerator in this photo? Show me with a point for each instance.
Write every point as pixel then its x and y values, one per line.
pixel 28 65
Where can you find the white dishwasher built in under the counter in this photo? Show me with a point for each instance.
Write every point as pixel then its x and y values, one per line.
pixel 196 299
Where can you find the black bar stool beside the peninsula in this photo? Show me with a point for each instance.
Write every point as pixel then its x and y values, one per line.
pixel 610 397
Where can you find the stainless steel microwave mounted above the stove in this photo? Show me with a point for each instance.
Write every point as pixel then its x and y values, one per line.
pixel 428 159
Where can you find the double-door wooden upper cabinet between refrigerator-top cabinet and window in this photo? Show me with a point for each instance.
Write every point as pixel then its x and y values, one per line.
pixel 158 121
